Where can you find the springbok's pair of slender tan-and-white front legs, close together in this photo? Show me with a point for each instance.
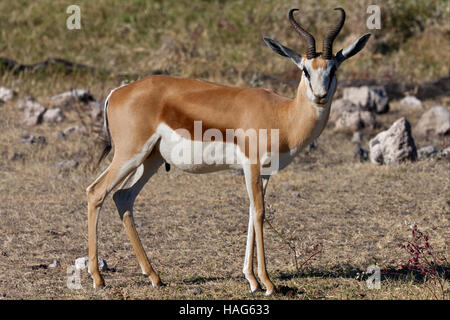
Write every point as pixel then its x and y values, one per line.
pixel 255 193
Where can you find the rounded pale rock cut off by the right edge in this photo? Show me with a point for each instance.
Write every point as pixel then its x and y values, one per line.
pixel 435 121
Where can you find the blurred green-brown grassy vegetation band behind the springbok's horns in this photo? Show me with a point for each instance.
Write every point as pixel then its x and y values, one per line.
pixel 221 40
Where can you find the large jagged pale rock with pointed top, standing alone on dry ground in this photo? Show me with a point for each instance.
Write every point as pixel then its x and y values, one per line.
pixel 393 145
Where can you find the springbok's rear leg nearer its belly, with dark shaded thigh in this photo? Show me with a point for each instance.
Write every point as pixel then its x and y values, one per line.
pixel 124 199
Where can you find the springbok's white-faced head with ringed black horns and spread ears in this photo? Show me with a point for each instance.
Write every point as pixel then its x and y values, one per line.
pixel 319 69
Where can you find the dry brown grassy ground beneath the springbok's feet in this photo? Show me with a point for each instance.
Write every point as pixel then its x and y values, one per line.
pixel 194 226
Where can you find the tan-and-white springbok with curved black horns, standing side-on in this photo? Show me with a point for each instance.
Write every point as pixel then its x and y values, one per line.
pixel 142 118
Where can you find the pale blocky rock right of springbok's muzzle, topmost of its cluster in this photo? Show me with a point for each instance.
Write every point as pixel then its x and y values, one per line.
pixel 368 98
